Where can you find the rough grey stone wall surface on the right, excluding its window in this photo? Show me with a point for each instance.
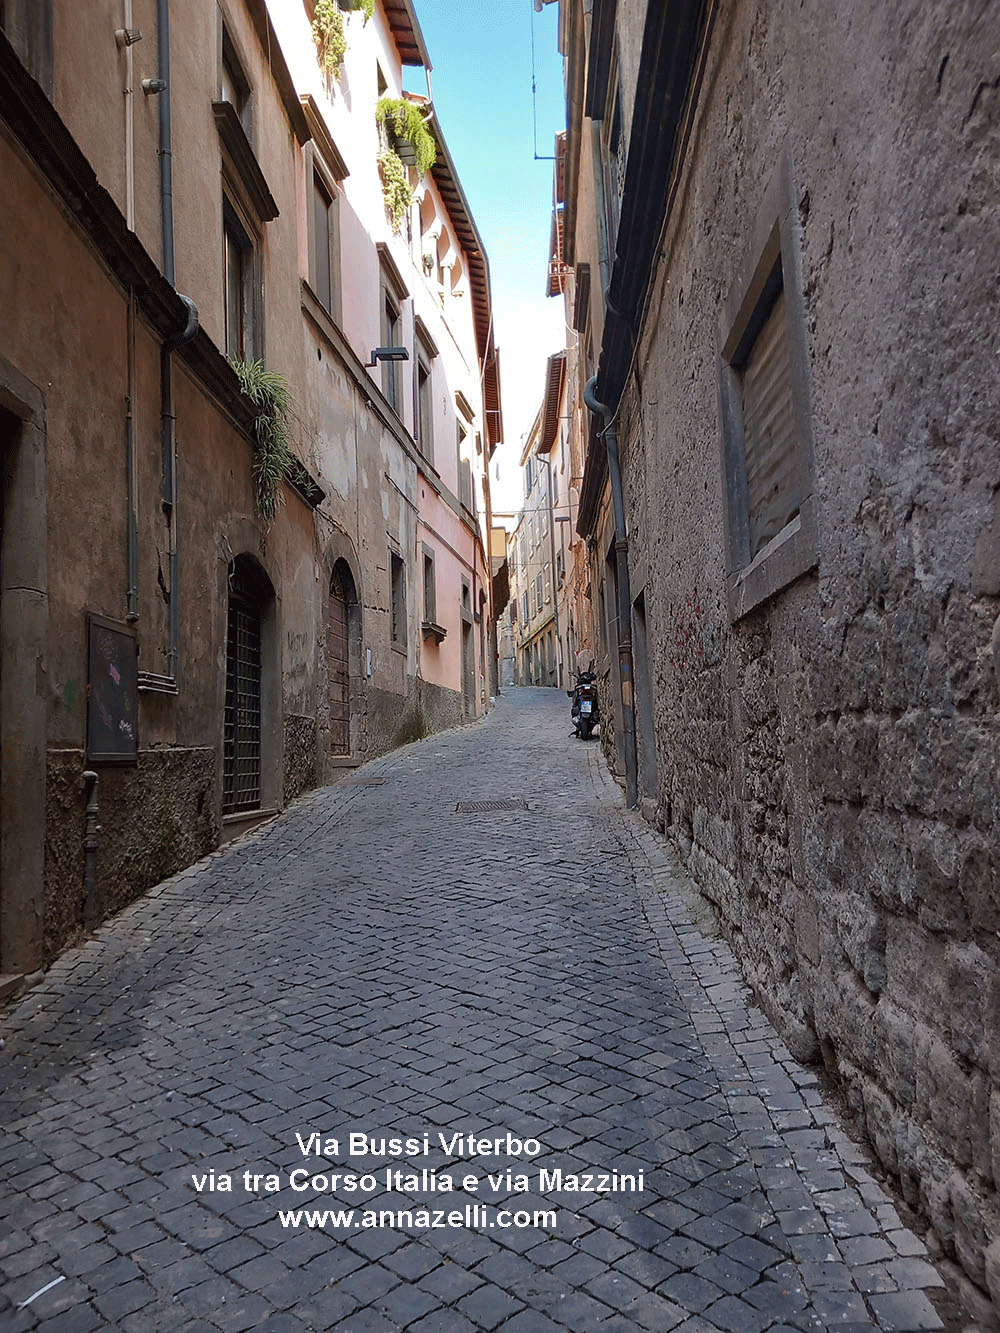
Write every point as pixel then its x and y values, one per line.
pixel 829 764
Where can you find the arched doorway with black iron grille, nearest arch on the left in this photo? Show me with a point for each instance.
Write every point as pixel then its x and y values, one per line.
pixel 250 597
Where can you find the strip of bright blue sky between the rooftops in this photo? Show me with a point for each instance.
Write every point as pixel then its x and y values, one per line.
pixel 482 83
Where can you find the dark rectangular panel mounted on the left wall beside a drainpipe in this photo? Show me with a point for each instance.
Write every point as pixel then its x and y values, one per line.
pixel 113 699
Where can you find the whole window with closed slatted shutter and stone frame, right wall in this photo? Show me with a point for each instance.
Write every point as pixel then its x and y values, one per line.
pixel 767 434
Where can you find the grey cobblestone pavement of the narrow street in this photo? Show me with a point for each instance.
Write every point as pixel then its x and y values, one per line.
pixel 379 963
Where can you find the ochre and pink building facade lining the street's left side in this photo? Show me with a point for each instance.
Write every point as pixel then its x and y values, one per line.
pixel 186 190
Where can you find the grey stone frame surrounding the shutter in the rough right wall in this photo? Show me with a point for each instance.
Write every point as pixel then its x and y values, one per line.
pixel 773 257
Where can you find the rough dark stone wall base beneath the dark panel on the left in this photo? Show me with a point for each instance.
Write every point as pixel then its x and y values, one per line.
pixel 155 819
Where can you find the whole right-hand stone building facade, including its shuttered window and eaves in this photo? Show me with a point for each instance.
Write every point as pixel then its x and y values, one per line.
pixel 786 219
